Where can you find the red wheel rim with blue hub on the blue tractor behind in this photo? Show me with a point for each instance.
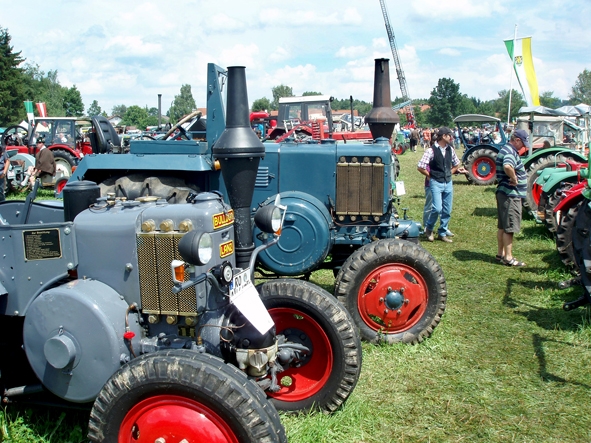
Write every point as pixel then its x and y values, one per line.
pixel 392 298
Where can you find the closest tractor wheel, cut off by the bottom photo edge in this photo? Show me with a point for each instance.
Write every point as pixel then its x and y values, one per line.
pixel 180 394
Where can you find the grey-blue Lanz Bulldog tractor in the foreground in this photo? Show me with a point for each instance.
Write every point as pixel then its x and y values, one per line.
pixel 145 311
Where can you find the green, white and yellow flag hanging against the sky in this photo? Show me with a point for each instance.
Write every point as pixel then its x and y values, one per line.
pixel 523 63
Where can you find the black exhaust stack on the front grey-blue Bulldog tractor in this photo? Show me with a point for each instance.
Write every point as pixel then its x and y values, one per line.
pixel 239 152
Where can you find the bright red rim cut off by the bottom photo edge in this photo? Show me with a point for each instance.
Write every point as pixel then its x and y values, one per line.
pixel 174 418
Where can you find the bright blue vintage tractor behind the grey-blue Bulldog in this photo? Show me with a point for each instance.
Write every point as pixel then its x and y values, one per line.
pixel 340 198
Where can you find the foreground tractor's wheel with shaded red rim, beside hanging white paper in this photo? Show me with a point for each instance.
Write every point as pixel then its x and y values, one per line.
pixel 308 315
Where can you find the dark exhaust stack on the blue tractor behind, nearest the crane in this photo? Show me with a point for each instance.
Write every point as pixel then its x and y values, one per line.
pixel 382 118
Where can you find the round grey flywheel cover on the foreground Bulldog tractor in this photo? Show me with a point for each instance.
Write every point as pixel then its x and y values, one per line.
pixel 73 338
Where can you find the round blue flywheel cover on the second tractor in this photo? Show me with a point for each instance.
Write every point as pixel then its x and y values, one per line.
pixel 306 237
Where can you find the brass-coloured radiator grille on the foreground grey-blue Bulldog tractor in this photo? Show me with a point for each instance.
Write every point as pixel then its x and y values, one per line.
pixel 155 252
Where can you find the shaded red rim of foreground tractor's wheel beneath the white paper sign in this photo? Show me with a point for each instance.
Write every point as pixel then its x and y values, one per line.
pixel 311 377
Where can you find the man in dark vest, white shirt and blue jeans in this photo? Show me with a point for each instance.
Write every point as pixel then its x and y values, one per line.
pixel 438 164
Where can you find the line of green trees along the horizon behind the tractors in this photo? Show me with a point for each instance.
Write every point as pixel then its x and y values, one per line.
pixel 21 80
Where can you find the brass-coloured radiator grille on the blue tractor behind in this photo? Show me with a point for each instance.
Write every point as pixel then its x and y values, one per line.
pixel 360 187
